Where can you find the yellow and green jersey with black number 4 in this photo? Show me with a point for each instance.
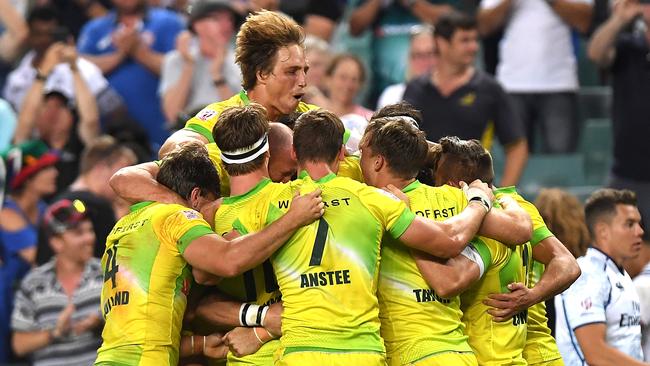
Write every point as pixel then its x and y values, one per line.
pixel 146 283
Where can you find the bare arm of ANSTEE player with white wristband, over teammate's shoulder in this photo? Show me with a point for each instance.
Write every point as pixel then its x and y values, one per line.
pixel 446 239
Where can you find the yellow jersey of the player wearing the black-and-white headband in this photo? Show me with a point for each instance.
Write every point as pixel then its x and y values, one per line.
pixel 264 203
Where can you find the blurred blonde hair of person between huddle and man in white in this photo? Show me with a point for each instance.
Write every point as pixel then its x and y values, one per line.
pixel 565 217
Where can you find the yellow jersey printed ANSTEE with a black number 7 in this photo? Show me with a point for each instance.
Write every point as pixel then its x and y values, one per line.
pixel 327 272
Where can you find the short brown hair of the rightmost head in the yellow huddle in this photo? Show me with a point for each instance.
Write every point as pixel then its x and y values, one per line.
pixel 463 160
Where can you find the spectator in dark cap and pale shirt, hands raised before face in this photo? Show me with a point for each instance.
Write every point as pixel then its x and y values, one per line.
pixel 201 69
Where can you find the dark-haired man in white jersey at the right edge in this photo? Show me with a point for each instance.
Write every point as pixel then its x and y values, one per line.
pixel 598 317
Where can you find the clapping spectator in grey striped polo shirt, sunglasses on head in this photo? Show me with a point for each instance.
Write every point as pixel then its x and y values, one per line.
pixel 57 318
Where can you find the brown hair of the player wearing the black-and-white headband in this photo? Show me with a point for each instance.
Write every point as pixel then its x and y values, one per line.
pixel 240 127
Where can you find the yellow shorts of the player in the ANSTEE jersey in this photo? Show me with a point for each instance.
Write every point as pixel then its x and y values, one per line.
pixel 325 358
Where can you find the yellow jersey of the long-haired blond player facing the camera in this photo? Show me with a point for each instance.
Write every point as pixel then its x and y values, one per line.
pixel 204 121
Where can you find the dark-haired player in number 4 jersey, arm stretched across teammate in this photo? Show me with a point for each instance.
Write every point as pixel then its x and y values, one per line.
pixel 149 252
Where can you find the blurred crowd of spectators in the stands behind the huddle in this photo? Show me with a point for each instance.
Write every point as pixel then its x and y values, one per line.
pixel 91 86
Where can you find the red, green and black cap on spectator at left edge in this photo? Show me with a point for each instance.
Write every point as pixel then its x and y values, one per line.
pixel 25 160
